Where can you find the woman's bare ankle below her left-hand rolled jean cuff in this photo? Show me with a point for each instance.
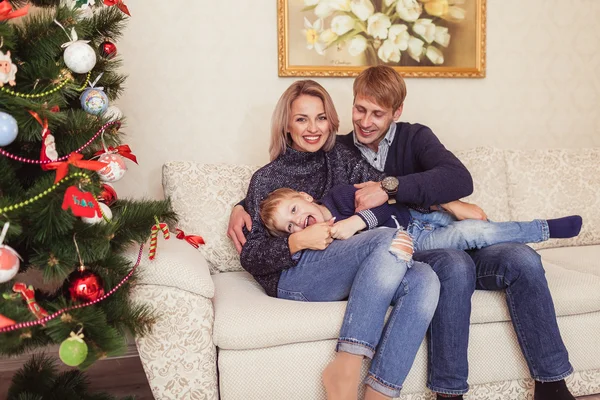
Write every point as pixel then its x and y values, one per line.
pixel 341 377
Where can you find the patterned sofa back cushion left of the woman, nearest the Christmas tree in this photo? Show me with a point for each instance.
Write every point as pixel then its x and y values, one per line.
pixel 203 196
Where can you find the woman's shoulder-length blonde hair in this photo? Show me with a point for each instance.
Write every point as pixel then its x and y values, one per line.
pixel 281 115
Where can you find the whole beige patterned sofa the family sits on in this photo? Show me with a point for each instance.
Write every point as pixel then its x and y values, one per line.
pixel 219 334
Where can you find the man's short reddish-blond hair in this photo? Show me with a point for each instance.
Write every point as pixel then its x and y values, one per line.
pixel 382 84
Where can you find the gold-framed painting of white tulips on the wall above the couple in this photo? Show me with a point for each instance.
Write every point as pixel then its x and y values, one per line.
pixel 420 38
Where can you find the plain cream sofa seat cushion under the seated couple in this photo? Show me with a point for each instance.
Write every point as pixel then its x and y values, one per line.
pixel 246 318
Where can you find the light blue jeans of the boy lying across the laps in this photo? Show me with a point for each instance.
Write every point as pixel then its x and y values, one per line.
pixel 439 230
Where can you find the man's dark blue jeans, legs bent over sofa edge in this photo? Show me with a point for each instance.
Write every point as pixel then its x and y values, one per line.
pixel 518 270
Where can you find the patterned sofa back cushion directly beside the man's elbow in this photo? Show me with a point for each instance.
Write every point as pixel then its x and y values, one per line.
pixel 490 191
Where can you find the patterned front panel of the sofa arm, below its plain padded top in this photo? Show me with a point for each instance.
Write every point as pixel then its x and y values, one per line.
pixel 178 355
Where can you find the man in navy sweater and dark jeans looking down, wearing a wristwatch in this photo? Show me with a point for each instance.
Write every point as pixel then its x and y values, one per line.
pixel 422 172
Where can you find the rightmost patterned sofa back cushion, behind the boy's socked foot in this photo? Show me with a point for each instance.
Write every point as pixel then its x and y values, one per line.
pixel 554 183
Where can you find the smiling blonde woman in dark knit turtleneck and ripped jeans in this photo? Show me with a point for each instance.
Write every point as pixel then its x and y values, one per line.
pixel 363 269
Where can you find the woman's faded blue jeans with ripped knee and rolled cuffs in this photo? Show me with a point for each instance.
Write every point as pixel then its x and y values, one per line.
pixel 364 270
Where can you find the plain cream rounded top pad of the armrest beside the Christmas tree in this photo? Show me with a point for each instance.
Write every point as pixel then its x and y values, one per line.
pixel 178 265
